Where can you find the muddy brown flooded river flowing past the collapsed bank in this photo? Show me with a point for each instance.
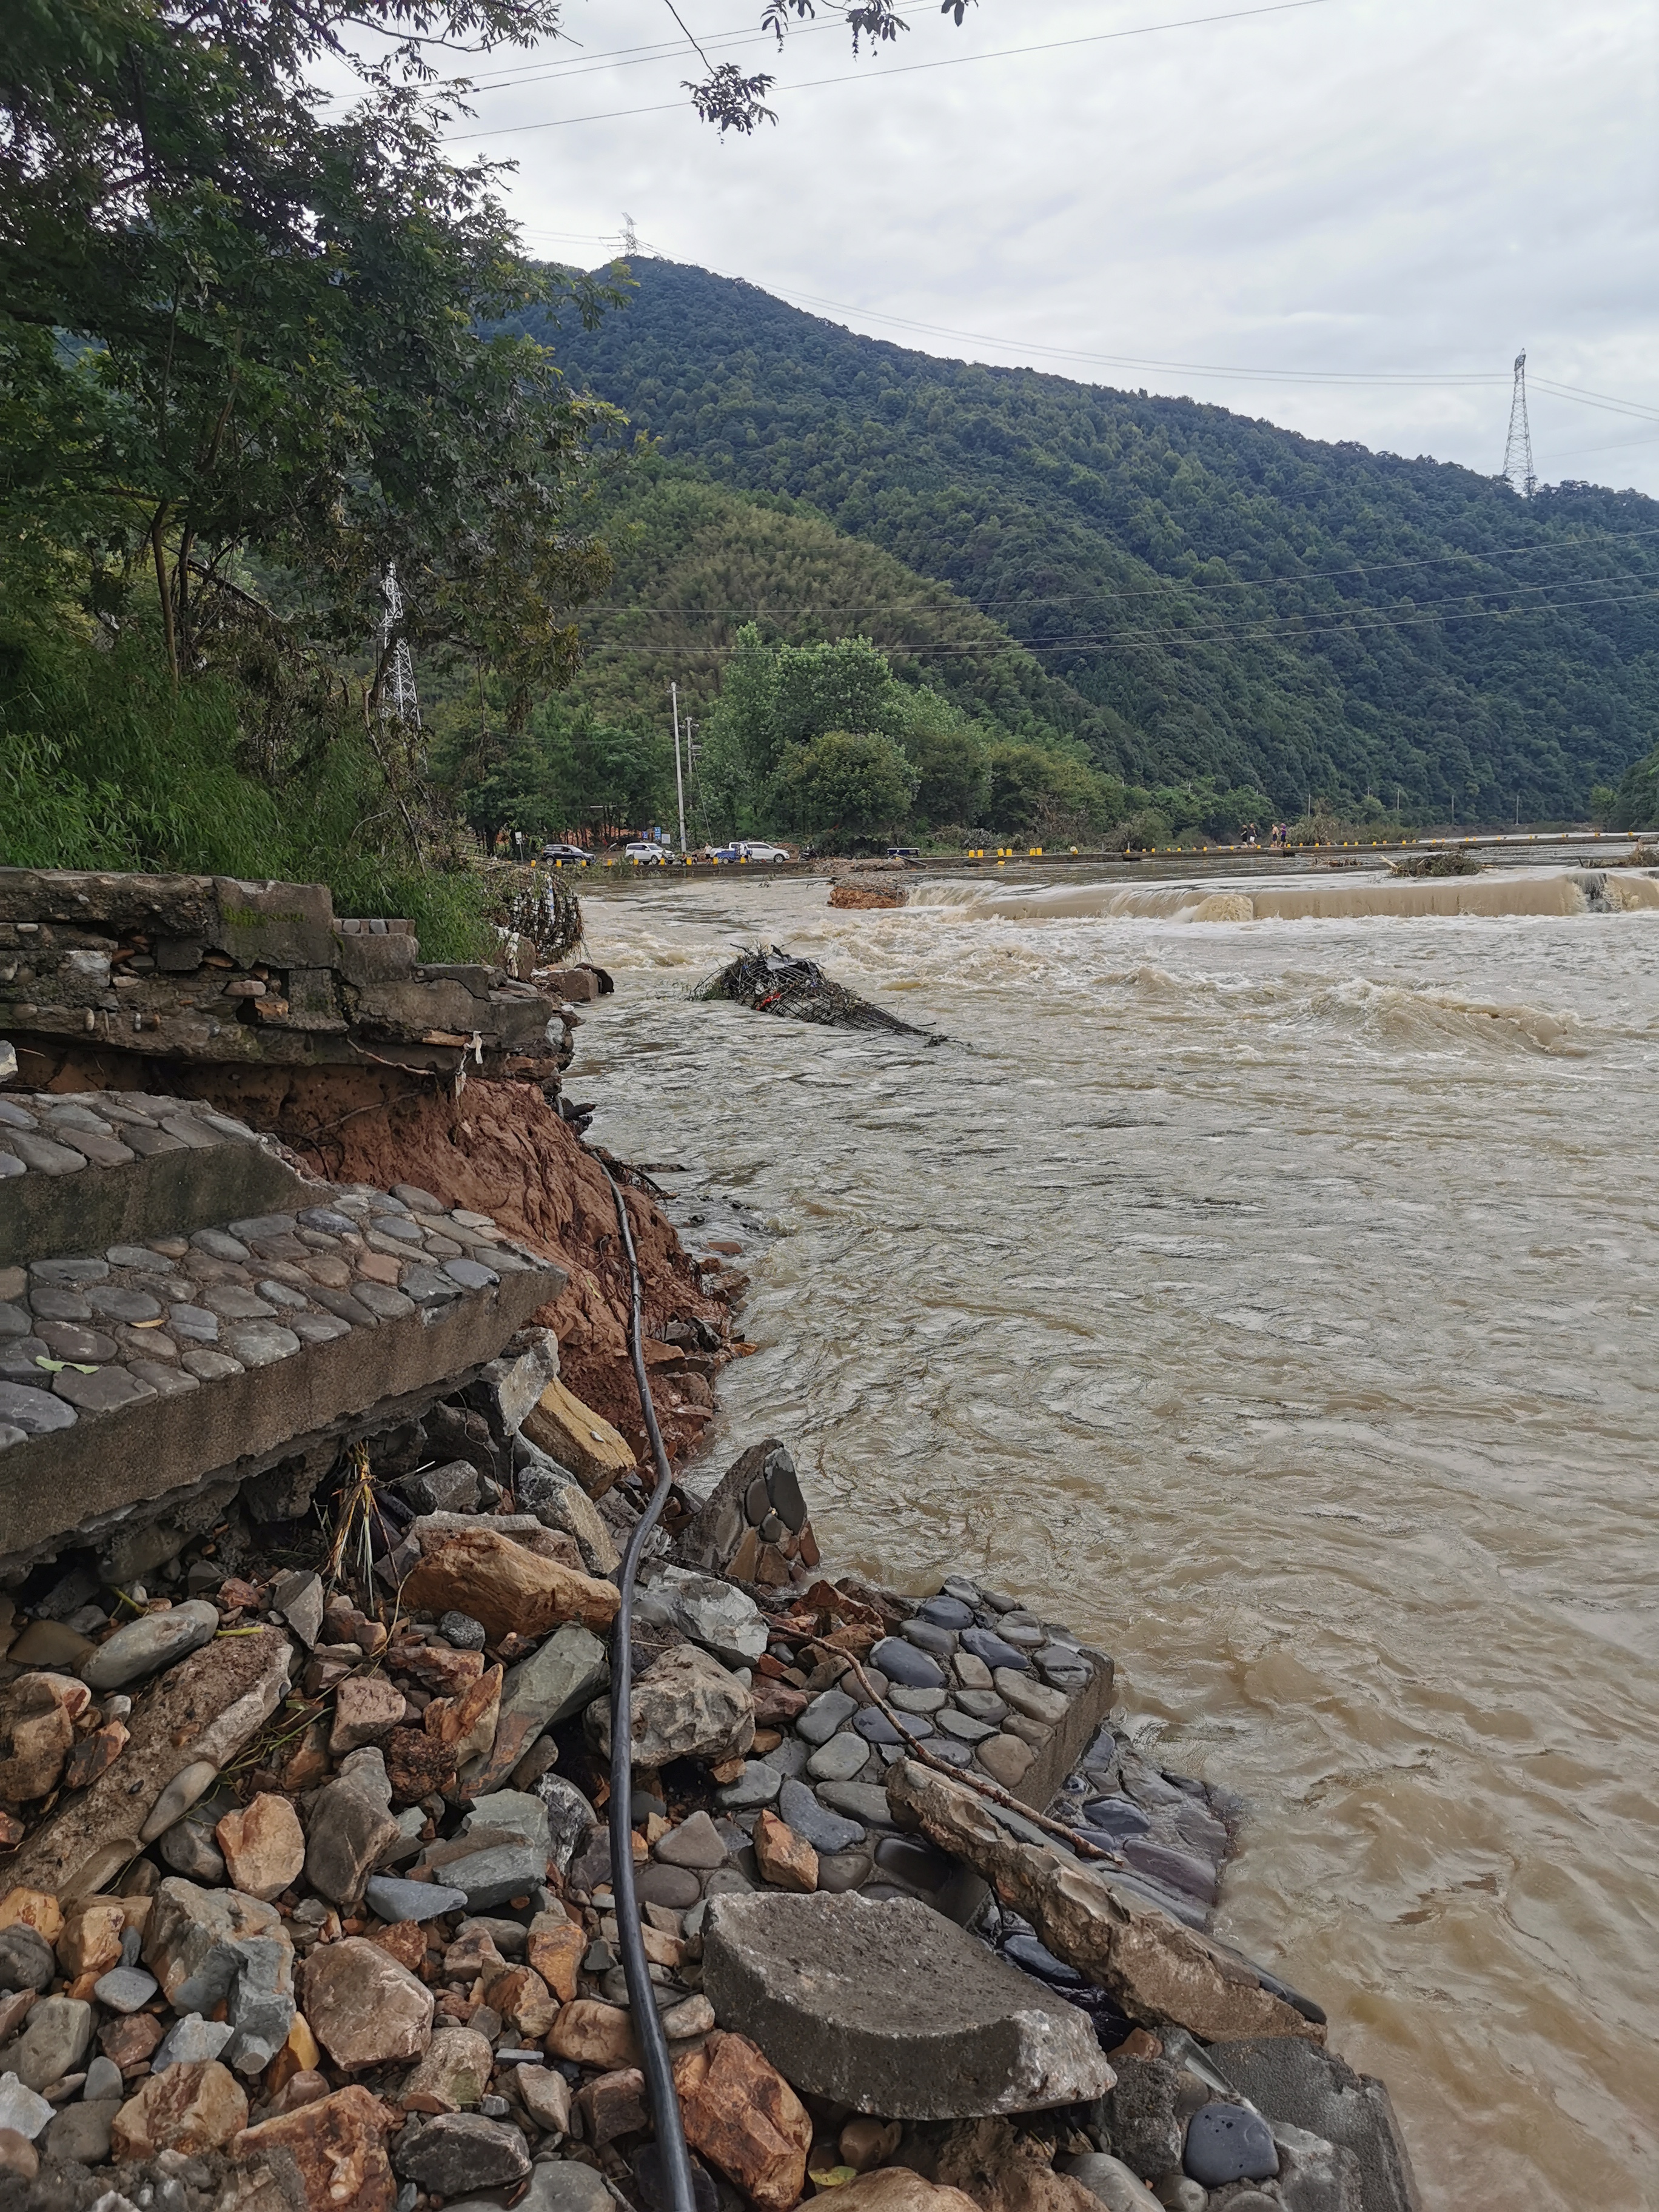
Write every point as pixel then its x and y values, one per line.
pixel 1277 1302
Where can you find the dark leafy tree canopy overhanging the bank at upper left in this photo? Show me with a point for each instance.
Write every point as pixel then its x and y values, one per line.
pixel 238 324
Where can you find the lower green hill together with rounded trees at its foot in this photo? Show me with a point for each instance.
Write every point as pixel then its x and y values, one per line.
pixel 731 594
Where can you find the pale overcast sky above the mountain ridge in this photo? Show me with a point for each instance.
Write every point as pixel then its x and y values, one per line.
pixel 1346 189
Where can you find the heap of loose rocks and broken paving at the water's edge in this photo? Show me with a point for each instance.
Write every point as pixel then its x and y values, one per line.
pixel 315 1901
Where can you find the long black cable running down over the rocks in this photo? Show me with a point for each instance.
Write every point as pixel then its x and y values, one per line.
pixel 643 1992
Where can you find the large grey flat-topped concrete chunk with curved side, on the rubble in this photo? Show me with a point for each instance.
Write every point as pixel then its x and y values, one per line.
pixel 893 2010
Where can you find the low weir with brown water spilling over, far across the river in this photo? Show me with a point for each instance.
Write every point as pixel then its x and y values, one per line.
pixel 1499 893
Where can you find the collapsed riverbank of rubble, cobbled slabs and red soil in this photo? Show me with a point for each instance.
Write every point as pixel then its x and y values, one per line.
pixel 302 1760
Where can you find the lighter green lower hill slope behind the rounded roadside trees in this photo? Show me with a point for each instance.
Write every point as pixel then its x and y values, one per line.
pixel 693 563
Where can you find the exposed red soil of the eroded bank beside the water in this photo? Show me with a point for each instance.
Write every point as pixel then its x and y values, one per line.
pixel 503 1151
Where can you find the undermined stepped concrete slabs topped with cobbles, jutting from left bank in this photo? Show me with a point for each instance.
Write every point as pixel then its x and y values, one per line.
pixel 182 1315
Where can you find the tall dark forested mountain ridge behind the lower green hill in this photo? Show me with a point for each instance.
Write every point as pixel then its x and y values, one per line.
pixel 1207 594
